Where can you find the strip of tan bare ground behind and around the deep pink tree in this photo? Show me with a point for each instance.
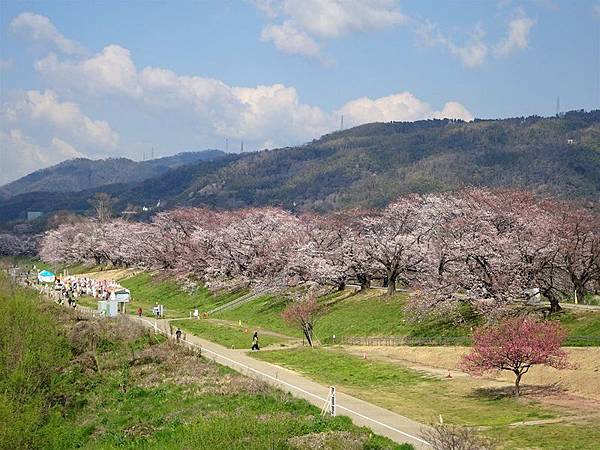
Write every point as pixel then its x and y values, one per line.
pixel 583 383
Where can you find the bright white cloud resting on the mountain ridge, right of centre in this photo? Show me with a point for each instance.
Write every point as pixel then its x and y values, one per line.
pixel 398 107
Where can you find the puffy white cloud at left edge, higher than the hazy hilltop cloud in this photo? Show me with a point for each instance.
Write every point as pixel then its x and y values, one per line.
pixel 64 116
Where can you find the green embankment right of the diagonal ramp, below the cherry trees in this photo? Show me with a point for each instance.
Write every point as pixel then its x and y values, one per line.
pixel 372 314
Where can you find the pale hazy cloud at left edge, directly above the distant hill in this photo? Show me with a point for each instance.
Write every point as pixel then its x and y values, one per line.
pixel 23 155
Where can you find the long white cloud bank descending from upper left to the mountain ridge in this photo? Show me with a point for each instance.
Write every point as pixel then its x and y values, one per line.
pixel 260 114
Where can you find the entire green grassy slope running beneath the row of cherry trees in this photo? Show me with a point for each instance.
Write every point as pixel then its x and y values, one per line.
pixel 342 314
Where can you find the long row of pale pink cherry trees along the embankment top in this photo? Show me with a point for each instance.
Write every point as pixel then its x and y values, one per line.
pixel 484 247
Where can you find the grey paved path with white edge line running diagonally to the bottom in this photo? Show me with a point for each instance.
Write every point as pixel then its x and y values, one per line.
pixel 398 428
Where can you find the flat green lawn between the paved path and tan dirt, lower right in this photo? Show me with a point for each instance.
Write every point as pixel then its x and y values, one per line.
pixel 421 397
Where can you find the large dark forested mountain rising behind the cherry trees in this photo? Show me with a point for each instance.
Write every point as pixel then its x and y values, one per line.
pixel 369 165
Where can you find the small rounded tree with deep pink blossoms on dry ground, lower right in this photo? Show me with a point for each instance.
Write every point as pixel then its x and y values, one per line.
pixel 516 344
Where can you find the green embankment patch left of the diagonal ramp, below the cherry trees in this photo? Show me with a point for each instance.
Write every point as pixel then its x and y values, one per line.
pixel 147 290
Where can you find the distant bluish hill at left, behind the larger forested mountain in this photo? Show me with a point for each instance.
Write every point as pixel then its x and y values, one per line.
pixel 81 173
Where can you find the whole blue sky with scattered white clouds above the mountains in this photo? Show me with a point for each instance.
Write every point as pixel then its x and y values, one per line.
pixel 113 78
